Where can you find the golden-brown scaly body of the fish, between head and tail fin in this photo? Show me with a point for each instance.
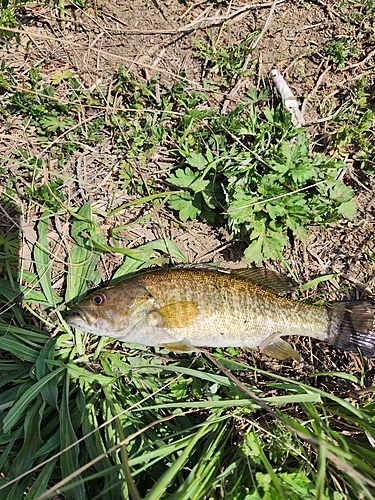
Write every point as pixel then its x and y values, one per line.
pixel 232 306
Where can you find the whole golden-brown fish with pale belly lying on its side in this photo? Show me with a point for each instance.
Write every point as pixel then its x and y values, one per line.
pixel 185 309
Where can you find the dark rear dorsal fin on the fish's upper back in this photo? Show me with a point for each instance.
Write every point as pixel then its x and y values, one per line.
pixel 280 285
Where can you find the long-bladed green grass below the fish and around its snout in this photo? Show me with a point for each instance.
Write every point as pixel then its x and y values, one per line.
pixel 178 418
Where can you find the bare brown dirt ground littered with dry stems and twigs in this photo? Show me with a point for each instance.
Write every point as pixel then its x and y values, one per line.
pixel 156 38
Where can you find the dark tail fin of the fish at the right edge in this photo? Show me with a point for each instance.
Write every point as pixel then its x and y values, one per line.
pixel 351 326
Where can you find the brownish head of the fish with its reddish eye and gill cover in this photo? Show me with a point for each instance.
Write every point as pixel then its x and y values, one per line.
pixel 112 311
